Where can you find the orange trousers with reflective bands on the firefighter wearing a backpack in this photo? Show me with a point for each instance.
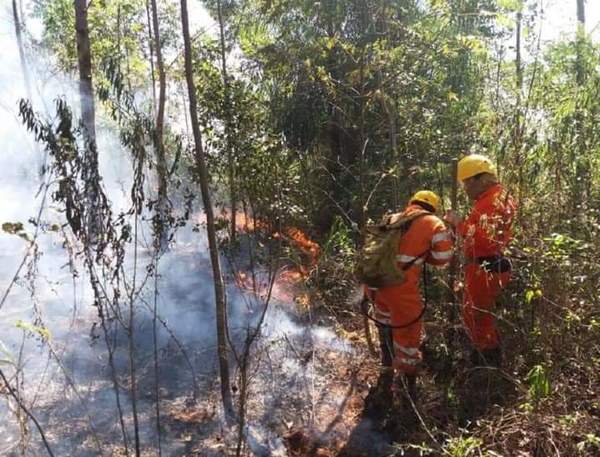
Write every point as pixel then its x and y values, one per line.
pixel 404 305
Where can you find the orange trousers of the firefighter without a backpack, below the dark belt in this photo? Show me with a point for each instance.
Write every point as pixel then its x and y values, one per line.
pixel 481 290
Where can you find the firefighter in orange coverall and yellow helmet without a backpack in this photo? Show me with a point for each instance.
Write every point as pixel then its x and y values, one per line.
pixel 486 233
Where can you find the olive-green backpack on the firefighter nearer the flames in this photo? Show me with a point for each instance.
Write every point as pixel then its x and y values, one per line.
pixel 377 265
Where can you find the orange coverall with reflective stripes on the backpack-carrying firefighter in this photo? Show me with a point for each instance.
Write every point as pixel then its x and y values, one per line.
pixel 427 239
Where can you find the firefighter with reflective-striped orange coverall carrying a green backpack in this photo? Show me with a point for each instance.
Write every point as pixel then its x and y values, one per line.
pixel 426 240
